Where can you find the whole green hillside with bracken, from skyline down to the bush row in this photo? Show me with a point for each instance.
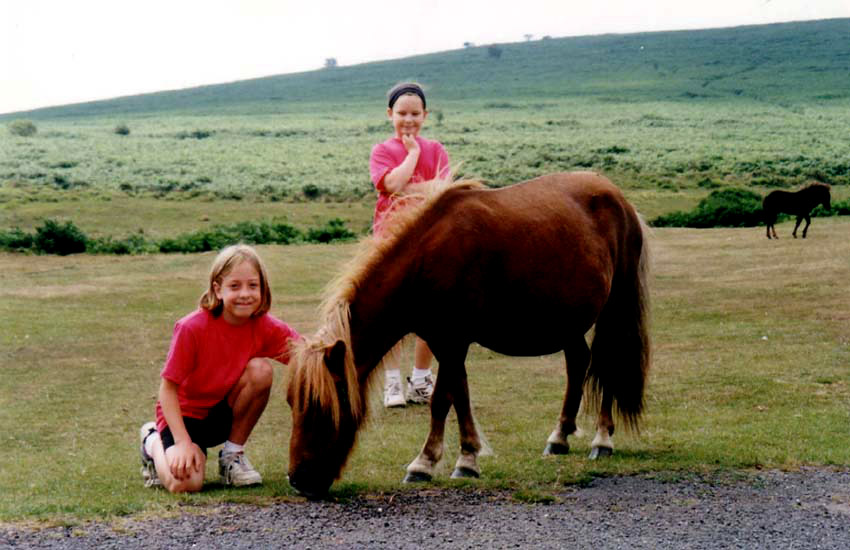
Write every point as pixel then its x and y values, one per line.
pixel 669 116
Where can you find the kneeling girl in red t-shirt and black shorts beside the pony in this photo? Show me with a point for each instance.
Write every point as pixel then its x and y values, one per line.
pixel 217 378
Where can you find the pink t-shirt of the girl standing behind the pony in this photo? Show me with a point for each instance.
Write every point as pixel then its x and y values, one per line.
pixel 433 163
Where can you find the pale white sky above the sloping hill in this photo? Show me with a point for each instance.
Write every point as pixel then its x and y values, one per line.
pixel 57 52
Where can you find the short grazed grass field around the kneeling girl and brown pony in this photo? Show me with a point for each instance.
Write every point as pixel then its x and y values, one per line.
pixel 751 341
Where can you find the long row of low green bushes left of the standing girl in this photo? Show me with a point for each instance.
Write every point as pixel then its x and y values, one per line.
pixel 56 238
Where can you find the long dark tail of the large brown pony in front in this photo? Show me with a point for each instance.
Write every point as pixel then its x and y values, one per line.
pixel 621 348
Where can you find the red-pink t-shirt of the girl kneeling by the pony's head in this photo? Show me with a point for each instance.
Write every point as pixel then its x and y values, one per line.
pixel 208 355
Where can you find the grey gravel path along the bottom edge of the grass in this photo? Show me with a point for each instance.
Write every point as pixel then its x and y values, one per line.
pixel 804 509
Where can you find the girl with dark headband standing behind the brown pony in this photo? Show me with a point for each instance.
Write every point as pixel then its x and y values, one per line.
pixel 396 166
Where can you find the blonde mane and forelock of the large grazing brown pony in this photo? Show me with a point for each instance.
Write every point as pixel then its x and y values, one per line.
pixel 314 382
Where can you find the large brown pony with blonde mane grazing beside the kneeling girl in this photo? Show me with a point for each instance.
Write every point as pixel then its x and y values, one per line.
pixel 524 270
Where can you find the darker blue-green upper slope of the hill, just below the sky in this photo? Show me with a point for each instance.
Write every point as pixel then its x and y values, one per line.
pixel 787 63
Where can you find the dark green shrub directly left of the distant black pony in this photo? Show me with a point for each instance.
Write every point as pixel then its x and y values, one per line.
pixel 722 208
